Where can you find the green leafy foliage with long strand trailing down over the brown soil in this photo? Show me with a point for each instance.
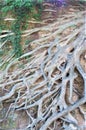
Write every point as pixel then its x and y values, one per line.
pixel 21 10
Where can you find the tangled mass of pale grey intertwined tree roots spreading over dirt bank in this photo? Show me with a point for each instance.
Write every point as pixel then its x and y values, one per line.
pixel 47 87
